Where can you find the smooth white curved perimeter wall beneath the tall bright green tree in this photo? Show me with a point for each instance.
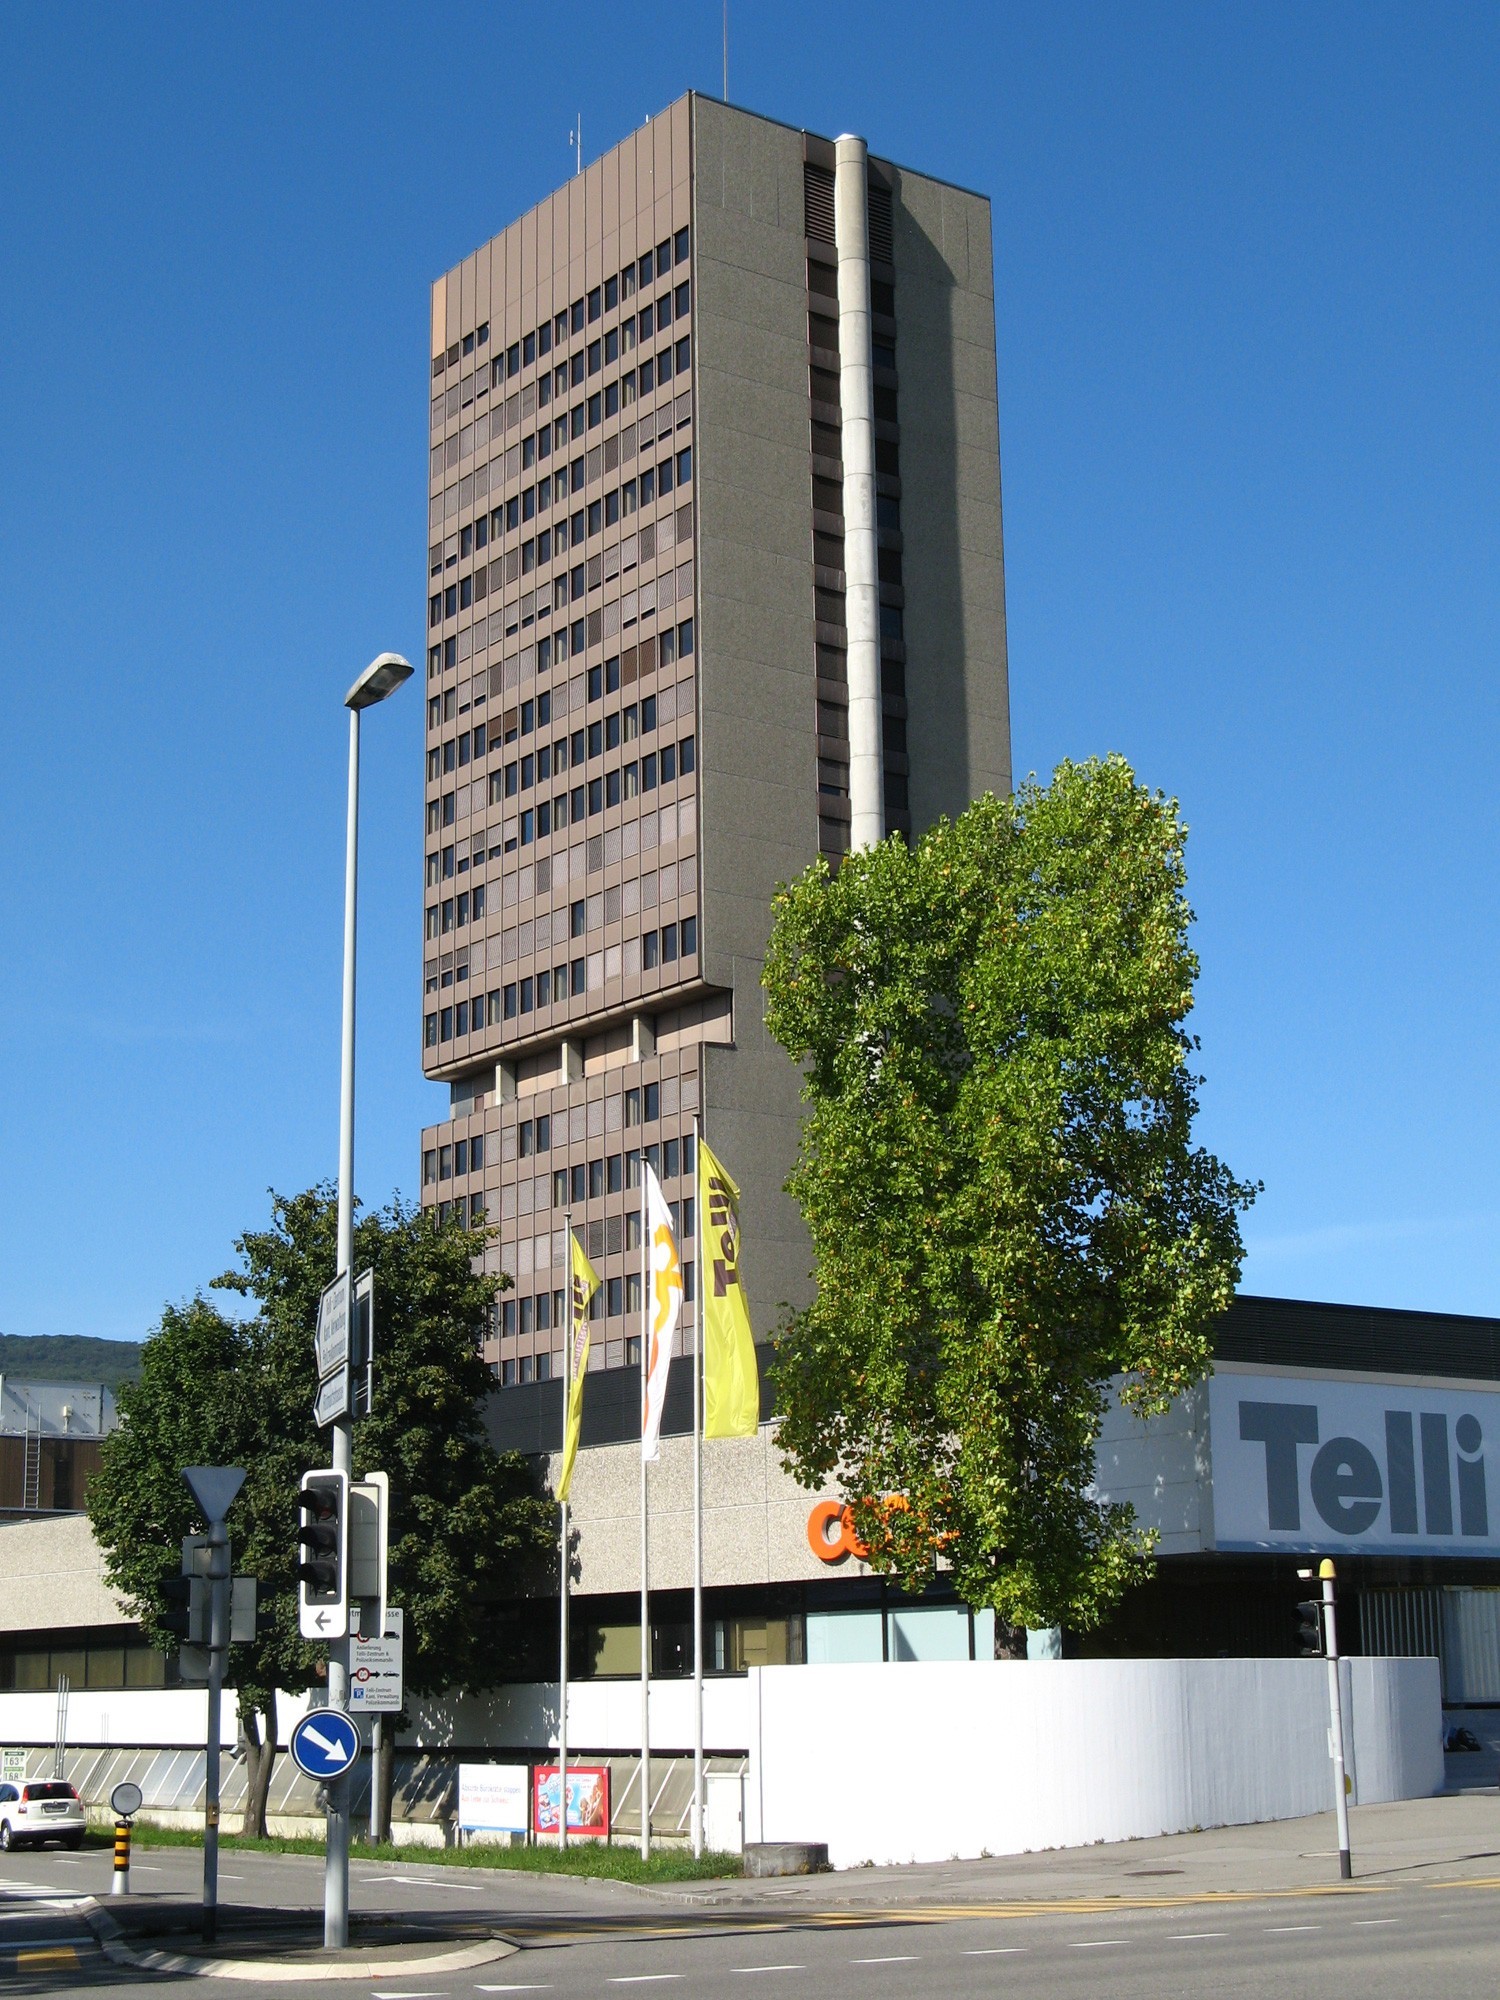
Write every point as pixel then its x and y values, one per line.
pixel 935 1759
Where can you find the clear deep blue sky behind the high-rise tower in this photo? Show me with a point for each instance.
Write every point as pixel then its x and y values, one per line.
pixel 1247 299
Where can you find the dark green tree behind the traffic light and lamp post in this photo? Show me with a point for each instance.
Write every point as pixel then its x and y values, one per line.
pixel 469 1527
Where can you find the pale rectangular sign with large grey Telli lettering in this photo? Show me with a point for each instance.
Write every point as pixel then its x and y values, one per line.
pixel 1379 1467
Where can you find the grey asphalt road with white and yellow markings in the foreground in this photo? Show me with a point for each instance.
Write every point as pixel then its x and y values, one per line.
pixel 1401 1943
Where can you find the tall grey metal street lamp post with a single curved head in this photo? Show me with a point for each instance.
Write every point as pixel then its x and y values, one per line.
pixel 381 679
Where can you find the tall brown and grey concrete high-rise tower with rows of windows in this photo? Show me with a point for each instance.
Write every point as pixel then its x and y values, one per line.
pixel 715 587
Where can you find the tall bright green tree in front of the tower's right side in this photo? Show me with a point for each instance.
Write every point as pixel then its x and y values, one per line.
pixel 1001 1183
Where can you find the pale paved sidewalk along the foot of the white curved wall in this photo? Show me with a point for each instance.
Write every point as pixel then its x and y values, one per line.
pixel 1447 1839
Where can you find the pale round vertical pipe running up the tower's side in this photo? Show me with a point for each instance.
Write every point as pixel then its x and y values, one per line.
pixel 861 549
